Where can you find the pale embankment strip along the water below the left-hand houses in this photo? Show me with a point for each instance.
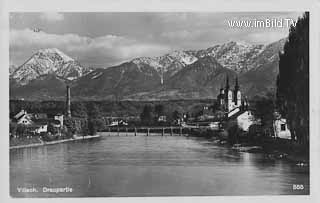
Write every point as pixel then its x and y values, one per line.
pixel 39 142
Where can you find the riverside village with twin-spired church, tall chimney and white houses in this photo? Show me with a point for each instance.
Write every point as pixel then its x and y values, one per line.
pixel 229 106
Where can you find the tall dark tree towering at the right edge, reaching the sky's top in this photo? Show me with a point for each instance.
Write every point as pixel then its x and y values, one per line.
pixel 293 80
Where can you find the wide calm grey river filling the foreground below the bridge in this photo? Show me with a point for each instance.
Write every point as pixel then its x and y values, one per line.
pixel 150 166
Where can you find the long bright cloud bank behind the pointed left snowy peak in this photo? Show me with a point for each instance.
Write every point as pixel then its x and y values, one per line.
pixel 100 51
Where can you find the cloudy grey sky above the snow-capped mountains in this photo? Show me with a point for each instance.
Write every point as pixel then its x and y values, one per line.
pixel 107 39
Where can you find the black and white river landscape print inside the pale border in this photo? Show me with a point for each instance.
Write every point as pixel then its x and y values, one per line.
pixel 159 104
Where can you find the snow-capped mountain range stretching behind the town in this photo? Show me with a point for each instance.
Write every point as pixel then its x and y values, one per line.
pixel 190 74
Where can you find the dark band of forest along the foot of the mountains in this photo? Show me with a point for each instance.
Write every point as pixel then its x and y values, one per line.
pixel 84 109
